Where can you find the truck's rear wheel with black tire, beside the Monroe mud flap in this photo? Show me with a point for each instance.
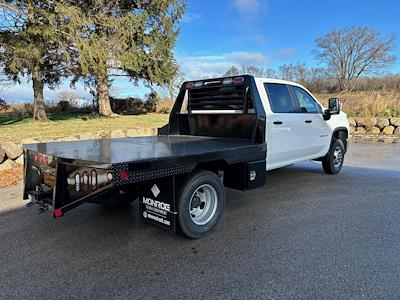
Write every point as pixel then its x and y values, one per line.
pixel 205 183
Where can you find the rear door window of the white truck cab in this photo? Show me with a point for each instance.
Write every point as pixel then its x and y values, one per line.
pixel 279 98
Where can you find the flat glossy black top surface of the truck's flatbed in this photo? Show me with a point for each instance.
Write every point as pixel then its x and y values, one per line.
pixel 144 149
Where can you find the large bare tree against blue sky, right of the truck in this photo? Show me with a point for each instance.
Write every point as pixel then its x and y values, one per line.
pixel 355 51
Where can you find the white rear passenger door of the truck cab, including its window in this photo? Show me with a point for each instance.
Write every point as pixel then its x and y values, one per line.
pixel 285 127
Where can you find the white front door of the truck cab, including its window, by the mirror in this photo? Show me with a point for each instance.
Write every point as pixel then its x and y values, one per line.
pixel 316 131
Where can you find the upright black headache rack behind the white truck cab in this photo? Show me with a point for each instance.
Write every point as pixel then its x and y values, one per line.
pixel 223 107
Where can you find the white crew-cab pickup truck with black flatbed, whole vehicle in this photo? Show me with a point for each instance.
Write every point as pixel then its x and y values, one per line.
pixel 222 132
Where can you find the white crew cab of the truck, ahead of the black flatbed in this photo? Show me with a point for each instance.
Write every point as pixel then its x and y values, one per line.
pixel 298 127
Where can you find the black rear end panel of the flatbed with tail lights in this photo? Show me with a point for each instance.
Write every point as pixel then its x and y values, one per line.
pixel 53 183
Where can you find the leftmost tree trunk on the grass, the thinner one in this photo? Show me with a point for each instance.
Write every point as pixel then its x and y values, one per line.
pixel 39 112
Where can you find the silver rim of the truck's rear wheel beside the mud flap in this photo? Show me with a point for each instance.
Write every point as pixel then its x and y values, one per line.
pixel 203 204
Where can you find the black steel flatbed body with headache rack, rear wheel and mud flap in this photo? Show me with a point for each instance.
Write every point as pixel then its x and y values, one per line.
pixel 215 137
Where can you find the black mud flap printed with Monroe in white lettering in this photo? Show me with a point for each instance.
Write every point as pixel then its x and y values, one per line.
pixel 157 203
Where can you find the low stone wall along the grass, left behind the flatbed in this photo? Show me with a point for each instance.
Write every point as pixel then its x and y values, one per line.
pixel 11 152
